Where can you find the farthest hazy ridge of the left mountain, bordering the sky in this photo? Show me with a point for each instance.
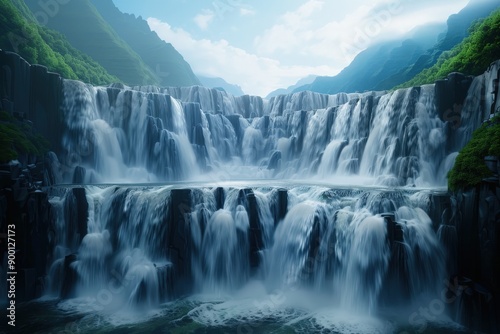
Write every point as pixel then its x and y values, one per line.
pixel 161 57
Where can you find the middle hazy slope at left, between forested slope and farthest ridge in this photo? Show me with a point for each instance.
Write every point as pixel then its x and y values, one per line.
pixel 86 30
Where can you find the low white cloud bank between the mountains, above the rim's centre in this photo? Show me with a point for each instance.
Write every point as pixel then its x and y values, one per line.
pixel 256 75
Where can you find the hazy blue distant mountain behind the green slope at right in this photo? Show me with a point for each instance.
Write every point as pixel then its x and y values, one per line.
pixel 389 64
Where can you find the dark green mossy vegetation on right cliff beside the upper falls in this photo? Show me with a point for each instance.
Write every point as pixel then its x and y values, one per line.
pixel 470 168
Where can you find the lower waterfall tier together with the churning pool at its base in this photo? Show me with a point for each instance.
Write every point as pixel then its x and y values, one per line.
pixel 327 259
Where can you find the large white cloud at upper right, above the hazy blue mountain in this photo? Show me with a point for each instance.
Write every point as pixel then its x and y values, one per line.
pixel 332 33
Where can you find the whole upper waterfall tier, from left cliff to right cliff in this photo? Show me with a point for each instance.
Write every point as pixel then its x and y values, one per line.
pixel 150 134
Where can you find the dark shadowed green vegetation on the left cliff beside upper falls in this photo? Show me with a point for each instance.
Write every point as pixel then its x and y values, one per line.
pixel 18 137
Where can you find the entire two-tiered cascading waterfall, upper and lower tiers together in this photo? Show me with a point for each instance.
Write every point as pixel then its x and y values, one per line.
pixel 341 233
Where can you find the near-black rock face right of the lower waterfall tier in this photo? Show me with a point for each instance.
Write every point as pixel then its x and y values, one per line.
pixel 476 217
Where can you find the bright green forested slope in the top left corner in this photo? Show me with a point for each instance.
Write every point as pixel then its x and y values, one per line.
pixel 20 33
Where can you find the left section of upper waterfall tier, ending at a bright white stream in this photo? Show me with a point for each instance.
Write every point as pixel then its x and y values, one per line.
pixel 123 136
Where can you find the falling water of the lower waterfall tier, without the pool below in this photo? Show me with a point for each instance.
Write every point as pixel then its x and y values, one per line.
pixel 153 244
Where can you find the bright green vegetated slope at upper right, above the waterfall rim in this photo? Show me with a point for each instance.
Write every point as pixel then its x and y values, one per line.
pixel 472 56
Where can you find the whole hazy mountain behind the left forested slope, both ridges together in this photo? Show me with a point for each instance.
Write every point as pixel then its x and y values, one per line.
pixel 122 44
